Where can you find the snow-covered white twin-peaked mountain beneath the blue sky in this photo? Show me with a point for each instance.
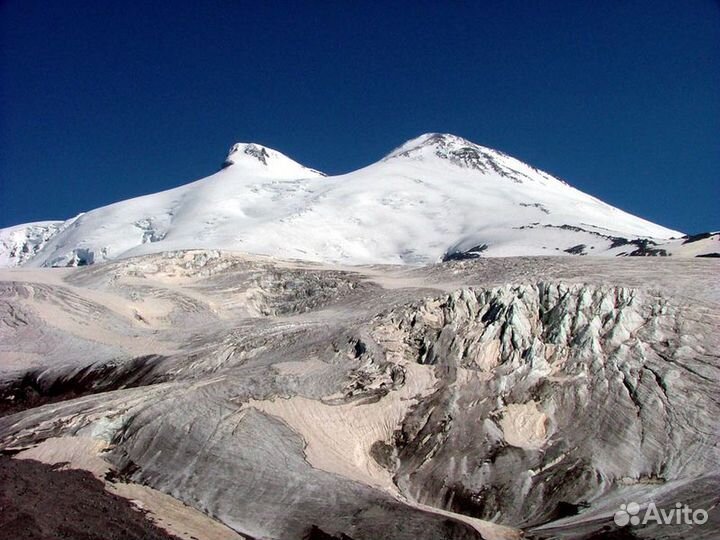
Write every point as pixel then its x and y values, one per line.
pixel 436 197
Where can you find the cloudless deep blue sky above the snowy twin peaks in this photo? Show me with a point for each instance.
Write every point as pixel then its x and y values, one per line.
pixel 105 100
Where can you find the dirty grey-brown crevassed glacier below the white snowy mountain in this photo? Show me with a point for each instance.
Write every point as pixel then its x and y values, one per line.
pixel 244 397
